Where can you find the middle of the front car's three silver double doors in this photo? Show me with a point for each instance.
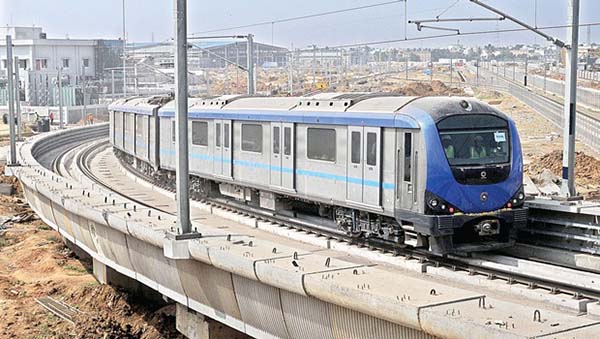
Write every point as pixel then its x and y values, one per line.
pixel 282 155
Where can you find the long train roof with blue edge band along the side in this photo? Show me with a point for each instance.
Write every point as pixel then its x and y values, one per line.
pixel 366 109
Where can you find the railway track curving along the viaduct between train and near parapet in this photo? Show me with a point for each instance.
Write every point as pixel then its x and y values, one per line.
pixel 487 267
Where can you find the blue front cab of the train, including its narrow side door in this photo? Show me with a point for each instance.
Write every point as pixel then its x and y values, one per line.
pixel 463 202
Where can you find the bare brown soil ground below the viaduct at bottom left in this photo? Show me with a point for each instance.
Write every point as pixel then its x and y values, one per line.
pixel 35 263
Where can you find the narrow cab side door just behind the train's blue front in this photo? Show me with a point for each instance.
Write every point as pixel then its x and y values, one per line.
pixel 406 161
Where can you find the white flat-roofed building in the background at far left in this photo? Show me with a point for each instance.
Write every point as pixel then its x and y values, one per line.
pixel 40 59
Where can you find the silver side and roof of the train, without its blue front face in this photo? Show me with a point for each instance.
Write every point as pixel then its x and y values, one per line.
pixel 355 158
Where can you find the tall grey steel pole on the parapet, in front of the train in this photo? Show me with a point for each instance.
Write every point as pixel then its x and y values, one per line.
pixel 181 118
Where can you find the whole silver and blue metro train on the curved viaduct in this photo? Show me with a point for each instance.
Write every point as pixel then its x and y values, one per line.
pixel 440 173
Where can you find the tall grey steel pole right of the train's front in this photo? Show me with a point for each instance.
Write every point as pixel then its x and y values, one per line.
pixel 570 105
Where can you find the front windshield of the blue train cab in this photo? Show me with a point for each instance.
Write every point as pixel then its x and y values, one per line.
pixel 475 140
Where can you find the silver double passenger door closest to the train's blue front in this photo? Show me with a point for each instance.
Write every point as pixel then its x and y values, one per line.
pixel 364 169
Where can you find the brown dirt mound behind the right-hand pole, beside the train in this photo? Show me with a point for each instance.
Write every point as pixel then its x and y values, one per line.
pixel 587 171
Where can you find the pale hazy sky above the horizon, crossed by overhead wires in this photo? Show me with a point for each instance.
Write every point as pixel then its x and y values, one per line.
pixel 152 20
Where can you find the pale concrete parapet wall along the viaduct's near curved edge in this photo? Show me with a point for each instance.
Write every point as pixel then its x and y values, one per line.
pixel 264 287
